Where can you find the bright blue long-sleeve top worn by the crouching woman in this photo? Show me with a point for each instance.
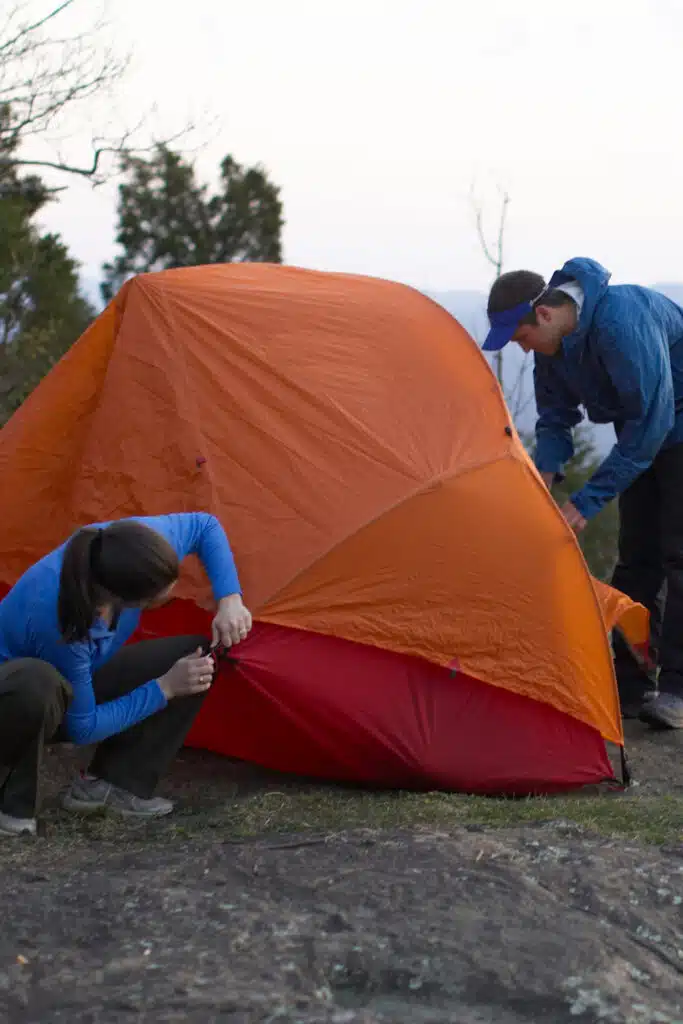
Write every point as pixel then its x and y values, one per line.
pixel 30 628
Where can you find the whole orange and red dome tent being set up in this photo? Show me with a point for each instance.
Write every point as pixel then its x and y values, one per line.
pixel 424 616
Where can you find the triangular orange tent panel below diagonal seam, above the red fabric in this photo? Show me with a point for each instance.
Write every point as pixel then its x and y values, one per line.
pixel 506 598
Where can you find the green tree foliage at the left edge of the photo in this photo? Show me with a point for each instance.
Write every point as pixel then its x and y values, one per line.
pixel 42 312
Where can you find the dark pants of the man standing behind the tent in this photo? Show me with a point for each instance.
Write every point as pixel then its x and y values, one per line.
pixel 651 571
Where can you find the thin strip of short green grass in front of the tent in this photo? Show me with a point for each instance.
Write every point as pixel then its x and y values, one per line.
pixel 291 810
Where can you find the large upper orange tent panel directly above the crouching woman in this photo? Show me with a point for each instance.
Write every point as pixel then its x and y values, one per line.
pixel 318 402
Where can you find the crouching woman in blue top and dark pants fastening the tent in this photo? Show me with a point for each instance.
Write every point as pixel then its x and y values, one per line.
pixel 64 676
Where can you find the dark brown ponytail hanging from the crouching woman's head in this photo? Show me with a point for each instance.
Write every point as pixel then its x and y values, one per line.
pixel 77 603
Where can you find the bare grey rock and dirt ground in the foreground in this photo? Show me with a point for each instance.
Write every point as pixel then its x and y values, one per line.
pixel 532 923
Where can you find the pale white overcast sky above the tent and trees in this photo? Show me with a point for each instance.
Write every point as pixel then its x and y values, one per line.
pixel 376 116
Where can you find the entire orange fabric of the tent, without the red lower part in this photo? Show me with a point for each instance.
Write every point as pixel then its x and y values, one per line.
pixel 354 442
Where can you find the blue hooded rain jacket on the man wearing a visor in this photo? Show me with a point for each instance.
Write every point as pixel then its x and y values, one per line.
pixel 623 365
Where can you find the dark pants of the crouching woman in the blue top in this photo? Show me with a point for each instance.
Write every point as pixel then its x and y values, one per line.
pixel 33 701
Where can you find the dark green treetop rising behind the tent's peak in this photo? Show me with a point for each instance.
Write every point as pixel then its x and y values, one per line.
pixel 168 220
